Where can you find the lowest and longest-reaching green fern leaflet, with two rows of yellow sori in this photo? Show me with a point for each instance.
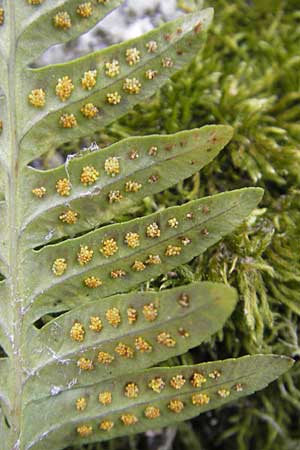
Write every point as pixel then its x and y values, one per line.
pixel 226 381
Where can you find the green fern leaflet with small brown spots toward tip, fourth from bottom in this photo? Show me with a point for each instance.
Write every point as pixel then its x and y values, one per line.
pixel 172 158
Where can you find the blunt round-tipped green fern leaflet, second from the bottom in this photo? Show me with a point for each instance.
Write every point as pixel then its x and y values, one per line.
pixel 189 314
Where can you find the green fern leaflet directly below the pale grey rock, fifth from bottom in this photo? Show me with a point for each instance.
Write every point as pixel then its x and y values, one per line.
pixel 177 41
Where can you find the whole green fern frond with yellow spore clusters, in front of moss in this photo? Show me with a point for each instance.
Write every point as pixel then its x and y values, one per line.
pixel 86 374
